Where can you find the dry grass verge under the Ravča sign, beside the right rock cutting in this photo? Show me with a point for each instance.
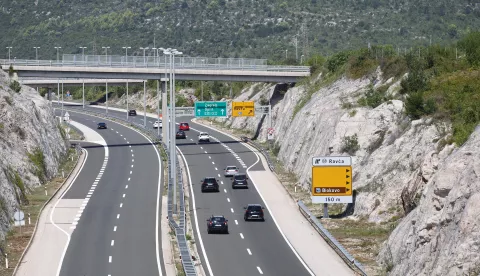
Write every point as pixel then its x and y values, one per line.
pixel 361 238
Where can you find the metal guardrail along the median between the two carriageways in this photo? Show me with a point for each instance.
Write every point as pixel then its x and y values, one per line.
pixel 179 228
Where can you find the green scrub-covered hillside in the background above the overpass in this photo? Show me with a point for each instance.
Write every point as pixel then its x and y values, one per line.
pixel 230 28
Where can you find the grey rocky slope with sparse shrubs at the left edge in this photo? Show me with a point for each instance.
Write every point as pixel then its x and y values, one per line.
pixel 31 146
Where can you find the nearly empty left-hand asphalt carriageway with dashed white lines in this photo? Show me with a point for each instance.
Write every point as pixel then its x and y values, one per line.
pixel 117 232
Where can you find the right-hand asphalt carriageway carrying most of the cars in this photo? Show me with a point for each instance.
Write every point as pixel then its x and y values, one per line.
pixel 251 248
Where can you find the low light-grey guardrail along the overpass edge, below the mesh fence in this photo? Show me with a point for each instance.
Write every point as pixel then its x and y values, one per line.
pixel 153 64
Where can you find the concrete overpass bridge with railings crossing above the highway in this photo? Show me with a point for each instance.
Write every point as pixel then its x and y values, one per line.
pixel 153 68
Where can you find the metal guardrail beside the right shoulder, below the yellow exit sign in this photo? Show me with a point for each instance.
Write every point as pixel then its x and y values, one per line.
pixel 330 239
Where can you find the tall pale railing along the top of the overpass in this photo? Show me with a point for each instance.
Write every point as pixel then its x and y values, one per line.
pixel 158 62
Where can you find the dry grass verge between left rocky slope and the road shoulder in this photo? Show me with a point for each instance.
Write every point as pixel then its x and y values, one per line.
pixel 17 238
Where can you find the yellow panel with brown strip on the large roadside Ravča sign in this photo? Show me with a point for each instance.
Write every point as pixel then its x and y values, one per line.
pixel 332 181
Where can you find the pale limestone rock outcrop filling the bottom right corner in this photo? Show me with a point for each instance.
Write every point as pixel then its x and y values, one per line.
pixel 441 236
